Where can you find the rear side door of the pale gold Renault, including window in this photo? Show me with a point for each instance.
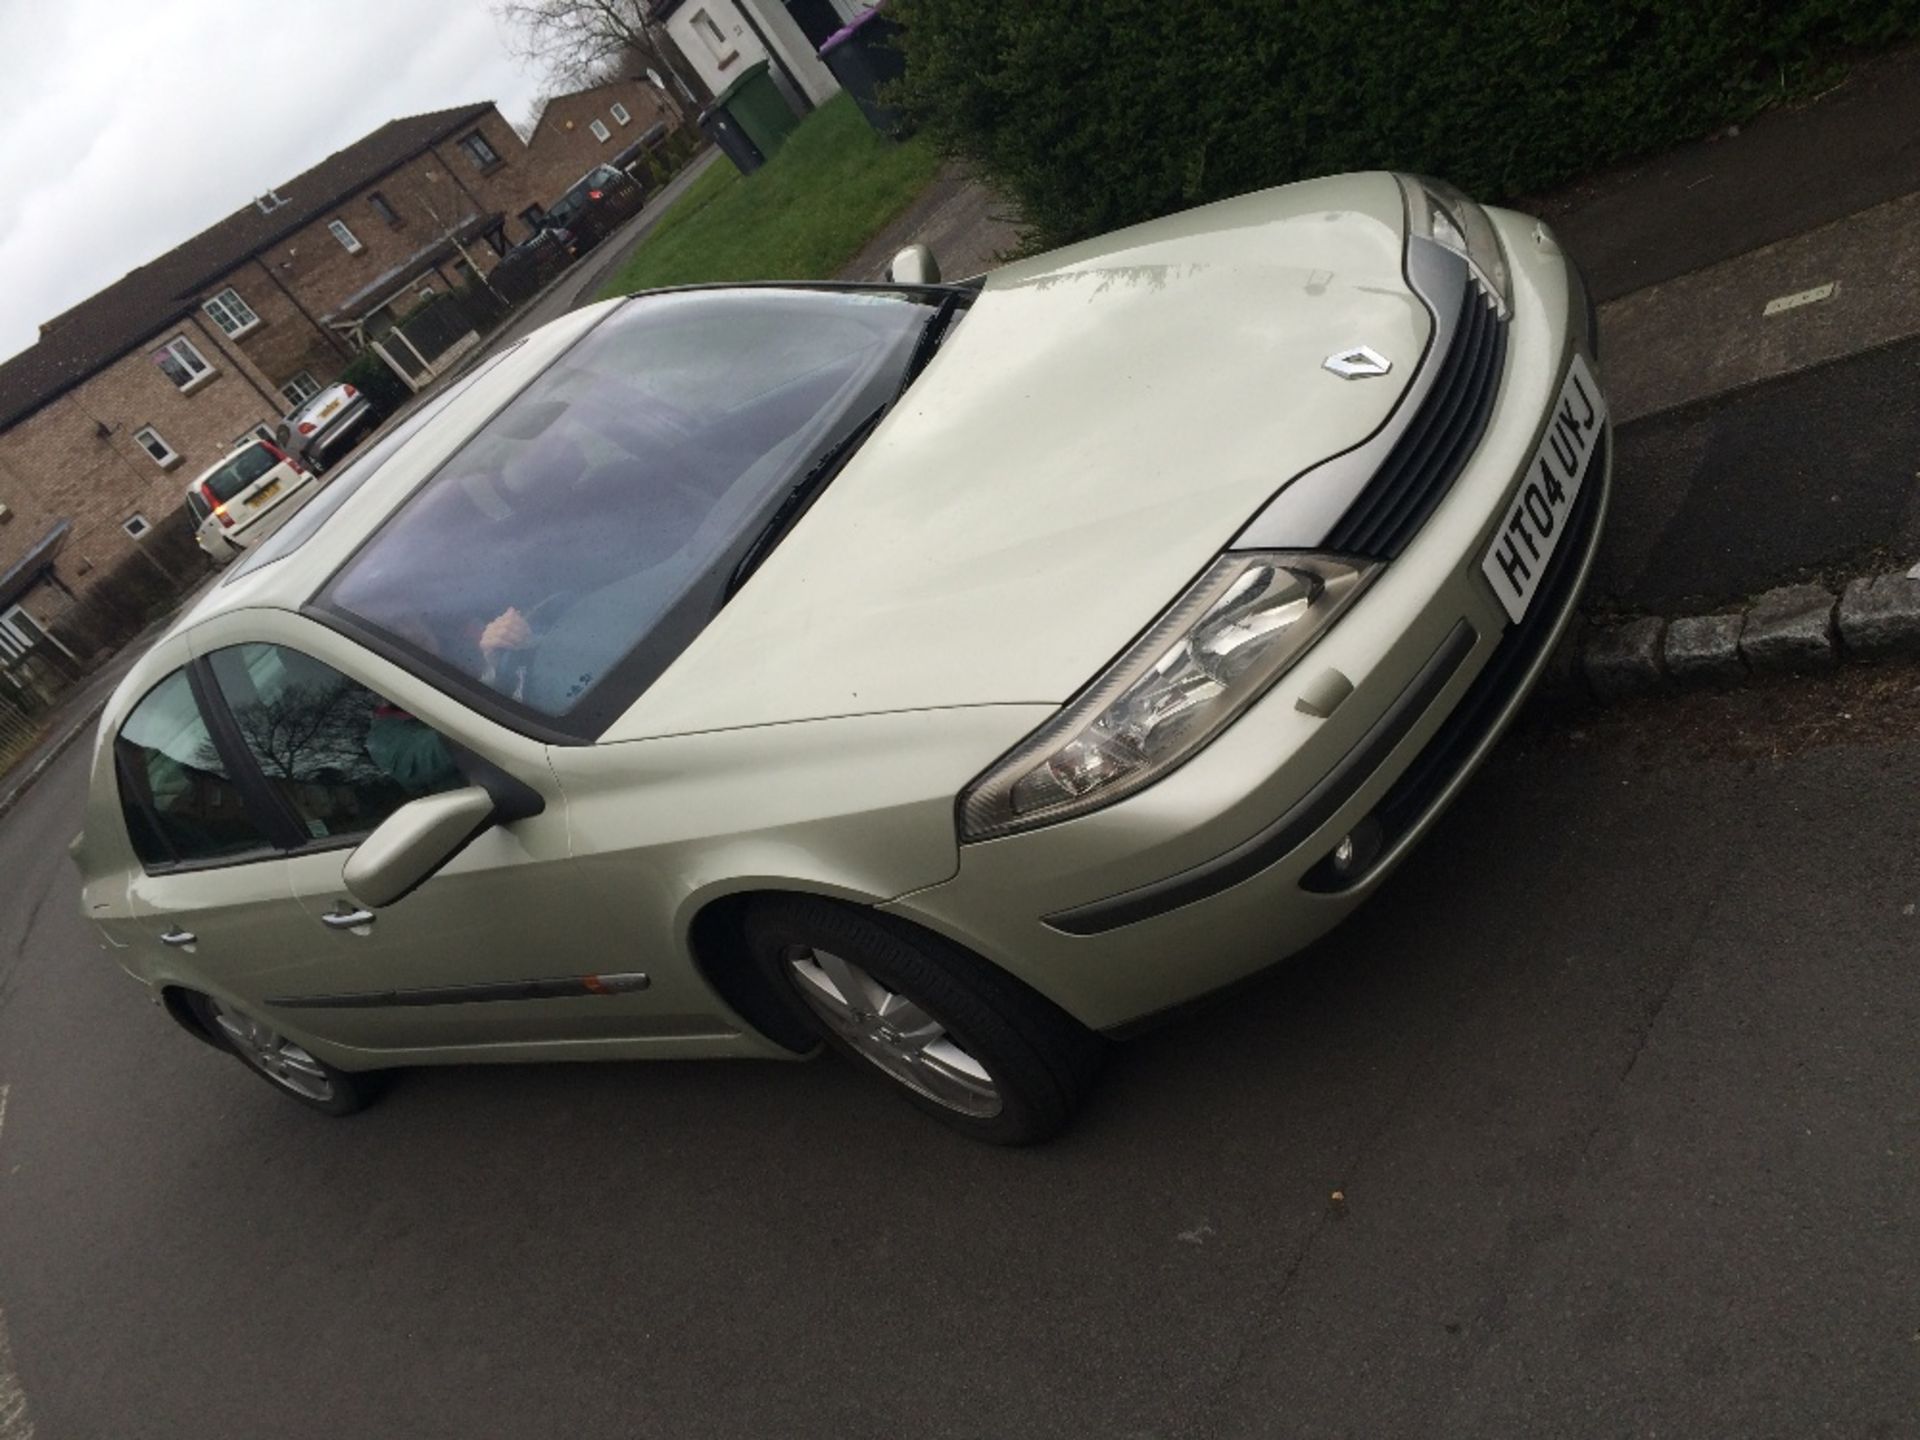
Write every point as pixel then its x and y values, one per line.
pixel 214 894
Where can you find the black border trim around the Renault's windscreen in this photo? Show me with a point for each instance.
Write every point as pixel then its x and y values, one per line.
pixel 473 694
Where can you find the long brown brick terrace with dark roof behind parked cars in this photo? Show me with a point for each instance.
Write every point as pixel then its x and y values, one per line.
pixel 130 395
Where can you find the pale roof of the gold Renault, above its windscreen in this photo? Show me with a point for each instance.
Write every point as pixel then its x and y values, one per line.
pixel 289 583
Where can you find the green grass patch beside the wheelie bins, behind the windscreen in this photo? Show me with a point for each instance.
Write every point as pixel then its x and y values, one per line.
pixel 800 218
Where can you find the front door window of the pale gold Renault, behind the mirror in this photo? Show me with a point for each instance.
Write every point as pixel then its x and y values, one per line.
pixel 337 754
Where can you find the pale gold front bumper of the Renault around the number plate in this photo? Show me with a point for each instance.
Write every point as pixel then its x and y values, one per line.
pixel 1216 871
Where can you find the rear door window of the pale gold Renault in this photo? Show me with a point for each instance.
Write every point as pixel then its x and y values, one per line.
pixel 181 804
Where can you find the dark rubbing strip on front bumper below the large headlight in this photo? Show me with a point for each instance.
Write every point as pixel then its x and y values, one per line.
pixel 1293 828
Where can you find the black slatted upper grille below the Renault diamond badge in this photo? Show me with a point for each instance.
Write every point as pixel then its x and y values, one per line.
pixel 1433 450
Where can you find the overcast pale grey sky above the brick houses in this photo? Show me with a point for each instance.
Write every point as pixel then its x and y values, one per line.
pixel 128 128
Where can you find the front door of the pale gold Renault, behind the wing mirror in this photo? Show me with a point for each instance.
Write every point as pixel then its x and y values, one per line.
pixel 506 946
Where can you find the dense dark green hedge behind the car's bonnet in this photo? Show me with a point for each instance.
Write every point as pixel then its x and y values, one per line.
pixel 1095 114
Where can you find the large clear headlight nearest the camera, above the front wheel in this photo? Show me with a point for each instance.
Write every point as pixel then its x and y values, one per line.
pixel 1212 656
